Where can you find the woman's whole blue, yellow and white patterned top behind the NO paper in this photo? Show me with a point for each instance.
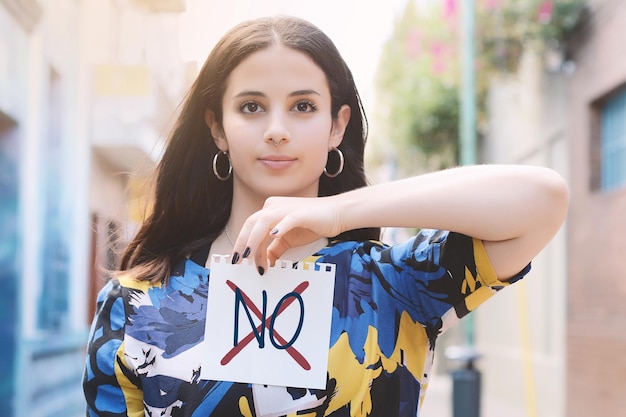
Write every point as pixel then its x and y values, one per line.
pixel 390 305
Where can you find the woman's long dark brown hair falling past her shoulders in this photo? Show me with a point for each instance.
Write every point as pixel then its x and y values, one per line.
pixel 191 206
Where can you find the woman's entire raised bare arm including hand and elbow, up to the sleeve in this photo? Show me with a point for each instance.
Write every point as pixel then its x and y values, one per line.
pixel 515 210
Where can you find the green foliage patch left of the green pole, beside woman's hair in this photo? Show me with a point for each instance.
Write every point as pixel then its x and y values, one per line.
pixel 417 87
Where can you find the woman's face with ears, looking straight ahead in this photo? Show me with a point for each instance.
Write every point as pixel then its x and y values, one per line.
pixel 277 124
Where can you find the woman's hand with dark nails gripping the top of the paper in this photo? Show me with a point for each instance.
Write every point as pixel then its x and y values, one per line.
pixel 286 222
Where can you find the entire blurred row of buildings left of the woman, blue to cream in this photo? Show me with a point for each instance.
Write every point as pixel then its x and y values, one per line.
pixel 87 90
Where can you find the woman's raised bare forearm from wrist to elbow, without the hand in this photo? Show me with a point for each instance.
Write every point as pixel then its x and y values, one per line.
pixel 489 202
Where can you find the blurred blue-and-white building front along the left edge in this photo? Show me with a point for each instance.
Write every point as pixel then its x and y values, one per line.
pixel 45 172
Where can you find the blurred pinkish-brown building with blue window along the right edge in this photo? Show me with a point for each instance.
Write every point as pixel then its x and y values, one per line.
pixel 596 367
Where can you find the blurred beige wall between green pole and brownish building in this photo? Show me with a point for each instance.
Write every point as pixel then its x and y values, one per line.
pixel 521 332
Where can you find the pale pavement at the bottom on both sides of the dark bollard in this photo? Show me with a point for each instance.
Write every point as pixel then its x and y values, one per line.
pixel 438 402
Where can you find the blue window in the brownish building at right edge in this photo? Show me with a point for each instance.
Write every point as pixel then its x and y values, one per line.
pixel 613 141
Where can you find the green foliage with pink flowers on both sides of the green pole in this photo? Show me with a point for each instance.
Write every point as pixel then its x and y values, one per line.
pixel 418 76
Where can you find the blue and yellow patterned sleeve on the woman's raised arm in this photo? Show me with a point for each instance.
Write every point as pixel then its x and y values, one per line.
pixel 441 276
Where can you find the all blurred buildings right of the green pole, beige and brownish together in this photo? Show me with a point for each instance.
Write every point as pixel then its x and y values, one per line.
pixel 558 353
